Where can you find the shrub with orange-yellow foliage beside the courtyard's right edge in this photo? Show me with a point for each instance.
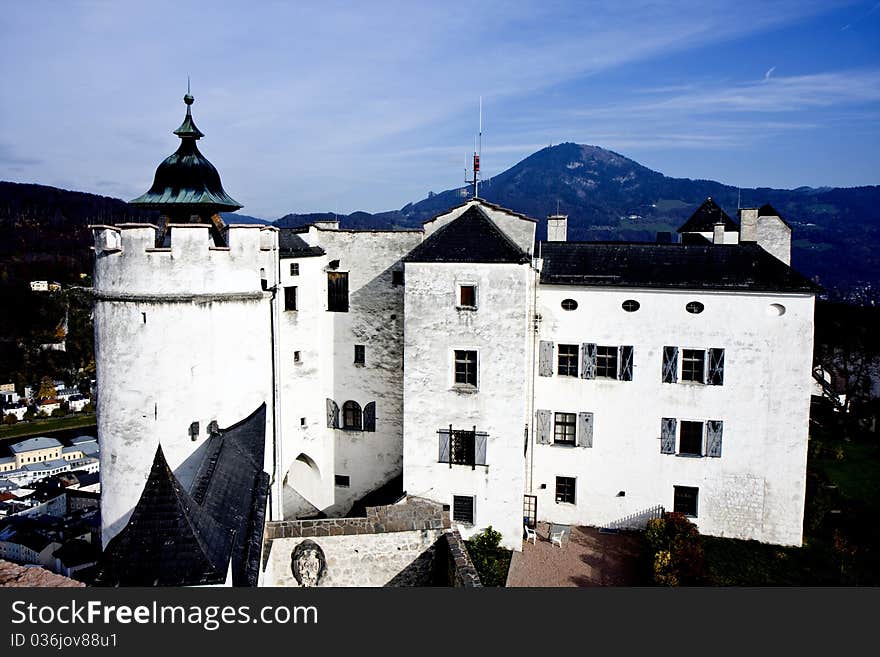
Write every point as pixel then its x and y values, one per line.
pixel 676 551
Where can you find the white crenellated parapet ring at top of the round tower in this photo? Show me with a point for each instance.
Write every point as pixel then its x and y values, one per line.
pixel 129 264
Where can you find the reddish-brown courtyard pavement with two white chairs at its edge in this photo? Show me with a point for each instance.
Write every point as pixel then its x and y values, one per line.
pixel 586 558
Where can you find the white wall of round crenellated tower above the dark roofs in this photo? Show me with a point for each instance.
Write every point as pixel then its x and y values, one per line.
pixel 181 335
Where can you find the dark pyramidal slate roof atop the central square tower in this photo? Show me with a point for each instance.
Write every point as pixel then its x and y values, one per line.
pixel 471 237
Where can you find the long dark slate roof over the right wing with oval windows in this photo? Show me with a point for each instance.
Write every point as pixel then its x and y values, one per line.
pixel 743 266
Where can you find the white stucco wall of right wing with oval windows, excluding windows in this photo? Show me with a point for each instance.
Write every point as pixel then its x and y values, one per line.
pixel 756 488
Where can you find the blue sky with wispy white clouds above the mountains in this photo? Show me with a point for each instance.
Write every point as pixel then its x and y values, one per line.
pixel 317 106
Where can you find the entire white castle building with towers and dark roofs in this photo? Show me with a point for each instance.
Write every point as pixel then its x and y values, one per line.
pixel 250 374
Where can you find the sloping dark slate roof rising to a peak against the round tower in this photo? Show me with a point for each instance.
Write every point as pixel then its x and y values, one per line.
pixel 232 487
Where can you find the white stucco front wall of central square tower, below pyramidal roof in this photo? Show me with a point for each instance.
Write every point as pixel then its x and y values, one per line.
pixel 499 331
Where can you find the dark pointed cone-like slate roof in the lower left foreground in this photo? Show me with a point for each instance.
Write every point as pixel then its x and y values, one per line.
pixel 168 541
